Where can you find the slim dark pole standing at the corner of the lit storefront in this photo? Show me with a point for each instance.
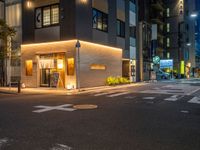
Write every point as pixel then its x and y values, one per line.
pixel 78 45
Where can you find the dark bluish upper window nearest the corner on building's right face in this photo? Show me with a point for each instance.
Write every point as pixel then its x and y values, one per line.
pixel 100 20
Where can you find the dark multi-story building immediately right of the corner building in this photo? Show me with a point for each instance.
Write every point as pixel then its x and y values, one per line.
pixel 151 24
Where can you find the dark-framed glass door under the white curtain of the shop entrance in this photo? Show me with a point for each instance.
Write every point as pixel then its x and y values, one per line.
pixel 45 78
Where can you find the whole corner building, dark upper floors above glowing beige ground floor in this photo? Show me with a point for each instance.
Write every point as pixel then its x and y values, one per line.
pixel 55 31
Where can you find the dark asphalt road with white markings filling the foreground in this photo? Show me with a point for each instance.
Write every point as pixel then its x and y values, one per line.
pixel 156 116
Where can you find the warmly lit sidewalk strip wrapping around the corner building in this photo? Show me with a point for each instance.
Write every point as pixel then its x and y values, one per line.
pixel 54 91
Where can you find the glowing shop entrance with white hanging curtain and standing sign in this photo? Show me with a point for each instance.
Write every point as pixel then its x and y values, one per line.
pixel 52 70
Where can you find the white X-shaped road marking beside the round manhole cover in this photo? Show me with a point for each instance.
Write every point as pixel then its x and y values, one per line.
pixel 50 108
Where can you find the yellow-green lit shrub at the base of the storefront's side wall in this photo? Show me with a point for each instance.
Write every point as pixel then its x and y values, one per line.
pixel 117 80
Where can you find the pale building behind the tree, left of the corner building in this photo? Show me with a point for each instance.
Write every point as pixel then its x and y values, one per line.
pixel 13 17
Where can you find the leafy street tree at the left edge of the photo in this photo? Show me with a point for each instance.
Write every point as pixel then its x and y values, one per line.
pixel 6 32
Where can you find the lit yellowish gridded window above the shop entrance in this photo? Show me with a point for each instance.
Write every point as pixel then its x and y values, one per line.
pixel 47 16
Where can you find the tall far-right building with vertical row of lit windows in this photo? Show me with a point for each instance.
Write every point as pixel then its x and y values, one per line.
pixel 179 33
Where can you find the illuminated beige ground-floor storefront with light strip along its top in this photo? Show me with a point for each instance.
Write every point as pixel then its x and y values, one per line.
pixel 54 65
